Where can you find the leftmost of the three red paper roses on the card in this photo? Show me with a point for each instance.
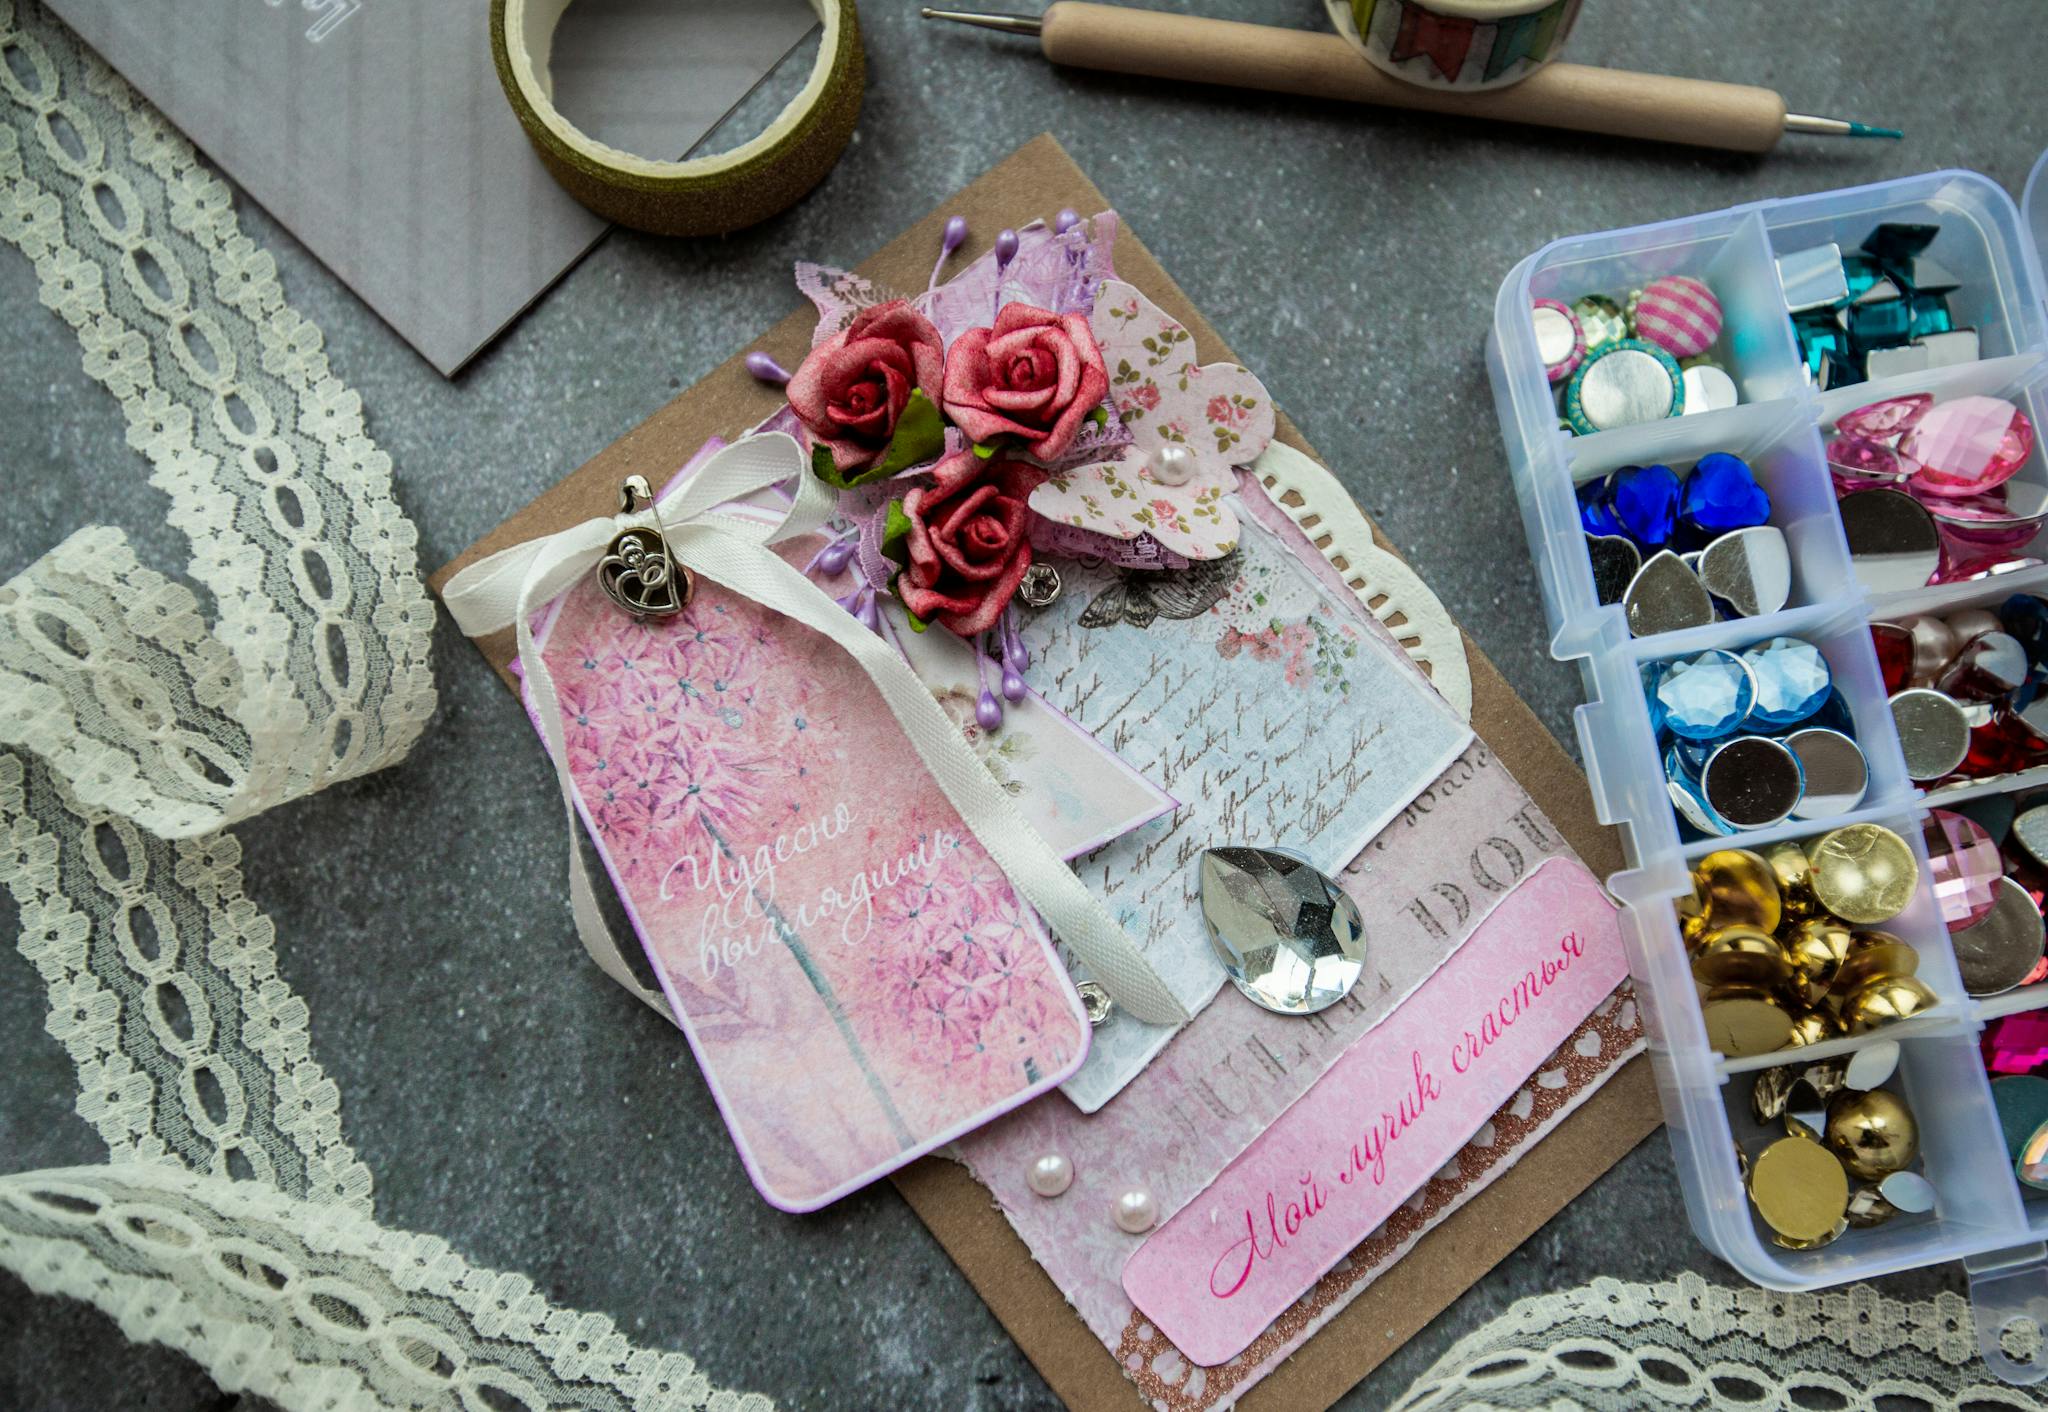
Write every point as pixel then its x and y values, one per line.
pixel 851 392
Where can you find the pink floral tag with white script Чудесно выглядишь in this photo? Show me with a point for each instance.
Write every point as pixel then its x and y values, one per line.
pixel 855 974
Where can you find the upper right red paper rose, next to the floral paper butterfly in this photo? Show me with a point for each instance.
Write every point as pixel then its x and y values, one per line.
pixel 1033 376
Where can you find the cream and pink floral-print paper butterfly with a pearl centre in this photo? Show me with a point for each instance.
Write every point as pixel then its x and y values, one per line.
pixel 1189 425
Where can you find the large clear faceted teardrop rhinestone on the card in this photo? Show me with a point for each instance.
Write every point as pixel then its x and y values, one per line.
pixel 1285 933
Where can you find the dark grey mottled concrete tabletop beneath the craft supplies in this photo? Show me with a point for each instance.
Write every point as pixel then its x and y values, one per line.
pixel 515 1102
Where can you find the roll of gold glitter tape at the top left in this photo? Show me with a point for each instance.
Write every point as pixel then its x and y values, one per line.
pixel 701 196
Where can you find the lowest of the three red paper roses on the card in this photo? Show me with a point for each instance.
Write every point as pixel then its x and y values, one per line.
pixel 968 540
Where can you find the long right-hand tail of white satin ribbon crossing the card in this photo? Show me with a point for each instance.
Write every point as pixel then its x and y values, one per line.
pixel 1033 870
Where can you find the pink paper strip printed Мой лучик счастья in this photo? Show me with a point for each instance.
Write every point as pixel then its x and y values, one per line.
pixel 1388 1116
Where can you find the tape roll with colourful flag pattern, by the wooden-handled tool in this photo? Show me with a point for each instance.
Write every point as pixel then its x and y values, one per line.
pixel 1457 44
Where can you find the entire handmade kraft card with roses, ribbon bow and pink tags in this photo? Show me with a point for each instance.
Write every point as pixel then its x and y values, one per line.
pixel 1035 604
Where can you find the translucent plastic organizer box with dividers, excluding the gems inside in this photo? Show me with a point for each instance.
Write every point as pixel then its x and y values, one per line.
pixel 1983 1216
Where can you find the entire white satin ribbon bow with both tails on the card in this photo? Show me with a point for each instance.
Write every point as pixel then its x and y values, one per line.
pixel 732 552
